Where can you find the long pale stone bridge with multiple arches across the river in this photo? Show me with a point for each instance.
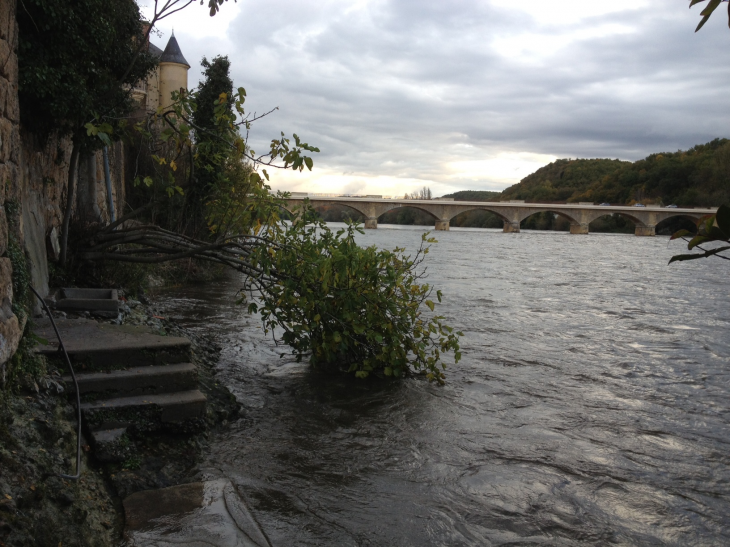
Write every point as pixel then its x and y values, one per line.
pixel 512 213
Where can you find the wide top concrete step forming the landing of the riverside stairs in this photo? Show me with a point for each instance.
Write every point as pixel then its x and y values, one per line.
pixel 95 347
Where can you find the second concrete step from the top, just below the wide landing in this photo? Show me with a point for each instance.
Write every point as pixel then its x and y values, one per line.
pixel 137 380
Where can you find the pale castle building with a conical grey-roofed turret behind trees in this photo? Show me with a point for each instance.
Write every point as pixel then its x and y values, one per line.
pixel 170 75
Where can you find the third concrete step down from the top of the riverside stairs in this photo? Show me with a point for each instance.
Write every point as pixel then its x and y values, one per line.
pixel 180 411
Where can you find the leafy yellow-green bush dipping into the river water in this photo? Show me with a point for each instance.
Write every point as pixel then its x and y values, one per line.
pixel 351 308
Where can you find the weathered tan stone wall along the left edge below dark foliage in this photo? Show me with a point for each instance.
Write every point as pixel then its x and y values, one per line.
pixel 33 184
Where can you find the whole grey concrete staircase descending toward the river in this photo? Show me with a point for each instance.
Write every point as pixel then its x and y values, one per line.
pixel 130 381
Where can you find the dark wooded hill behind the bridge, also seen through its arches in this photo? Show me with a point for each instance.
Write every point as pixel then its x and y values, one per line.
pixel 698 177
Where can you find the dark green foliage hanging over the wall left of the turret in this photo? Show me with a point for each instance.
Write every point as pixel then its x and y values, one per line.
pixel 75 58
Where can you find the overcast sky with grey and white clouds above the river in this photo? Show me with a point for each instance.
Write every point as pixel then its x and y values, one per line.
pixel 465 94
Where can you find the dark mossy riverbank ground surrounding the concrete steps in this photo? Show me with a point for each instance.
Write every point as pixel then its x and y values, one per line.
pixel 38 441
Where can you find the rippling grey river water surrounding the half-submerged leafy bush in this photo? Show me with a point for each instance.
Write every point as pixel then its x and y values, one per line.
pixel 591 406
